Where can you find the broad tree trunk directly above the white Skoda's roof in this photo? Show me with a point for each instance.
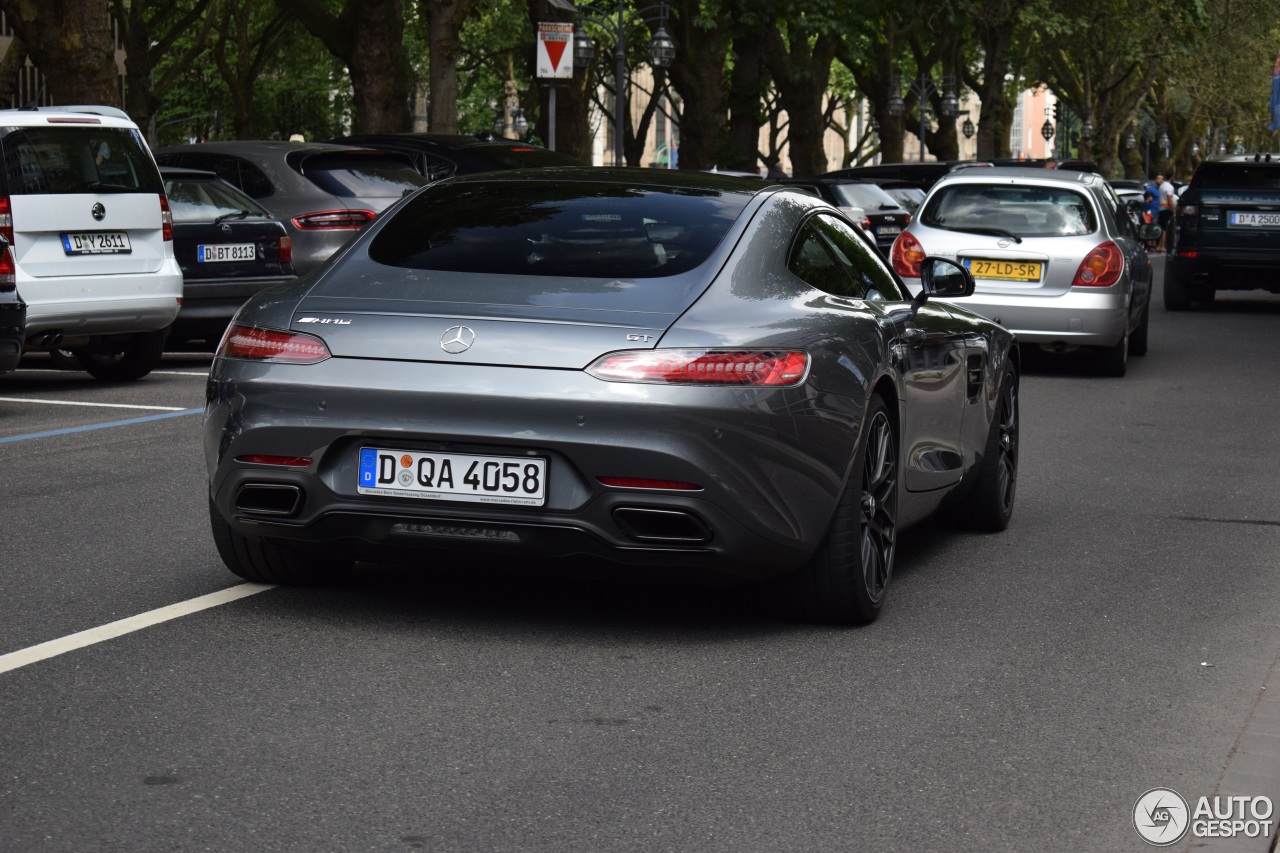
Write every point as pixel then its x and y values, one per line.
pixel 74 38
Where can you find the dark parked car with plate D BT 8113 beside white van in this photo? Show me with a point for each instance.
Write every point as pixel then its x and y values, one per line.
pixel 228 248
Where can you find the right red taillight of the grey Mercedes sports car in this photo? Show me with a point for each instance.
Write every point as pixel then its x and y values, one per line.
pixel 702 368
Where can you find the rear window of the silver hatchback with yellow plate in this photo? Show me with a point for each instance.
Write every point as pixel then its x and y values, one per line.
pixel 1020 209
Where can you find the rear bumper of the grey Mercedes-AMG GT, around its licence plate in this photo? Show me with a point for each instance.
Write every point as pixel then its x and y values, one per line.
pixel 765 499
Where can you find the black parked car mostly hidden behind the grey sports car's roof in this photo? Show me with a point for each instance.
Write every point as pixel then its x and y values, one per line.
pixel 444 156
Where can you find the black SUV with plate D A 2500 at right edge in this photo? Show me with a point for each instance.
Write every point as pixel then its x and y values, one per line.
pixel 1227 231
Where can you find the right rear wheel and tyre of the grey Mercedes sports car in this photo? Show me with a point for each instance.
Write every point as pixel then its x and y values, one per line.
pixel 847 578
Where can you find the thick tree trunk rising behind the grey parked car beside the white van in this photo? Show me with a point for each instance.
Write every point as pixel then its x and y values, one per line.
pixel 369 38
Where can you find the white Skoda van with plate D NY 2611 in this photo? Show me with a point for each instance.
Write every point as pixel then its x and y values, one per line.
pixel 84 209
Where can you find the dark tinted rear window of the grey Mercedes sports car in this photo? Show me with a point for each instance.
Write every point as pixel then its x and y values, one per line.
pixel 559 229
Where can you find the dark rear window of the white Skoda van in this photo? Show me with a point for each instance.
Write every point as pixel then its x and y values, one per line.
pixel 72 159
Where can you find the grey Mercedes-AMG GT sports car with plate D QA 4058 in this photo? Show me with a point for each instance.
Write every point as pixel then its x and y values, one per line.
pixel 659 368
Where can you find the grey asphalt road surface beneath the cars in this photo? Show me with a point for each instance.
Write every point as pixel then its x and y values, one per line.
pixel 1020 692
